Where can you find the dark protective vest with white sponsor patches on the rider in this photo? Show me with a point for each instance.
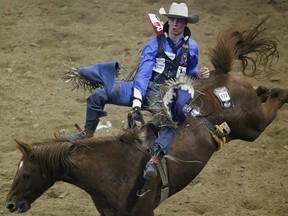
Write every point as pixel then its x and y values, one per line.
pixel 170 65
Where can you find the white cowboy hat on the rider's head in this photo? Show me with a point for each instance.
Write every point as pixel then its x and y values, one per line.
pixel 179 11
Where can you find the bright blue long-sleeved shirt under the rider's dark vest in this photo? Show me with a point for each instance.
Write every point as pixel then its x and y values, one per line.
pixel 148 57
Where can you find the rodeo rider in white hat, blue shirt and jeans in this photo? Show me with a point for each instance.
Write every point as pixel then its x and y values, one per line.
pixel 167 56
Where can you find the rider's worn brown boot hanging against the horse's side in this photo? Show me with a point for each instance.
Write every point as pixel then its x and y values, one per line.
pixel 151 169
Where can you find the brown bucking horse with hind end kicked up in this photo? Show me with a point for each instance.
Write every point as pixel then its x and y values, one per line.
pixel 110 169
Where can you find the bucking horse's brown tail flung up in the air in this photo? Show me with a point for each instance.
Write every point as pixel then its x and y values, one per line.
pixel 245 46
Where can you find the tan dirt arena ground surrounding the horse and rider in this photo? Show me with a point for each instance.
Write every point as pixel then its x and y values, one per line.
pixel 37 37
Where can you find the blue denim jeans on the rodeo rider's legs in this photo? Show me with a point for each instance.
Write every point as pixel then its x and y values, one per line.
pixel 122 94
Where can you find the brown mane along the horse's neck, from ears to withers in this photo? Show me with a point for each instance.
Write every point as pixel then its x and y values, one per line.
pixel 53 154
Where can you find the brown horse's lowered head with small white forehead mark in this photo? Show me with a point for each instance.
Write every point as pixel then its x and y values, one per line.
pixel 38 169
